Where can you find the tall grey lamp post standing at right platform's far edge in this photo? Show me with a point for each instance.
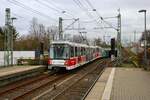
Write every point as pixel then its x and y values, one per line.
pixel 145 37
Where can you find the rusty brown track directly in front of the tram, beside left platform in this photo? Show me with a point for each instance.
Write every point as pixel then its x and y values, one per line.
pixel 17 91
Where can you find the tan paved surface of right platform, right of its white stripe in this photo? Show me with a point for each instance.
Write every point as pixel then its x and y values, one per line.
pixel 131 84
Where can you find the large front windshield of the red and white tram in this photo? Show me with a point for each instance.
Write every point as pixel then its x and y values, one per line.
pixel 59 51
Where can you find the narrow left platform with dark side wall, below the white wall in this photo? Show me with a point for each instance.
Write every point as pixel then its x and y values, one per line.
pixel 12 74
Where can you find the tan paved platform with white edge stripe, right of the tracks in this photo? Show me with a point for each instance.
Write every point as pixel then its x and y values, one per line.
pixel 122 84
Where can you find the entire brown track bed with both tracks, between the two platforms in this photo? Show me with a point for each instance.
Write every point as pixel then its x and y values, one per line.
pixel 54 85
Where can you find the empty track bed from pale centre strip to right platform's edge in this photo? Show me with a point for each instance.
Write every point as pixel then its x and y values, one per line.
pixel 77 87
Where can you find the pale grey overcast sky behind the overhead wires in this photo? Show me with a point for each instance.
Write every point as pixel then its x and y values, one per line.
pixel 51 10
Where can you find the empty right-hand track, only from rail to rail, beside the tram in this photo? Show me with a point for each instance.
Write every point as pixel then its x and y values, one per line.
pixel 80 88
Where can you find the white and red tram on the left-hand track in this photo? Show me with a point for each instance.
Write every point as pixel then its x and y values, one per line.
pixel 68 55
